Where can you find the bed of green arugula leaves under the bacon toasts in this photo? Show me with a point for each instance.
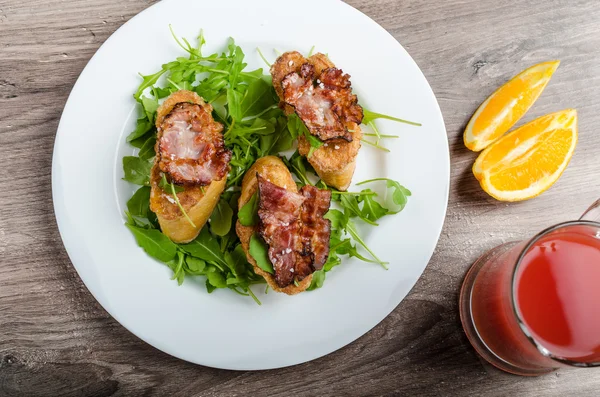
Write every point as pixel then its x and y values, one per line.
pixel 247 105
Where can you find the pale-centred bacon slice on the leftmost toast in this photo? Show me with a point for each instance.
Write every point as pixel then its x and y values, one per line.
pixel 190 146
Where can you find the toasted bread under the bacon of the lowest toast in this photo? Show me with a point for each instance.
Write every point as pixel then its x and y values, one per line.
pixel 272 169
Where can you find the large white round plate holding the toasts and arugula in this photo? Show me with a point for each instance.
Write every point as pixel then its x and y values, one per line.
pixel 223 329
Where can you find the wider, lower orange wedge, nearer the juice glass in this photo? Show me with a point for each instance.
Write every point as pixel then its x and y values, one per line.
pixel 528 160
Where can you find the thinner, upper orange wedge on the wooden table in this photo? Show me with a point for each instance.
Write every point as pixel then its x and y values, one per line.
pixel 507 105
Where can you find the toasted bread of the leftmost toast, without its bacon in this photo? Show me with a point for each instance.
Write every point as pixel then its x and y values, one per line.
pixel 198 202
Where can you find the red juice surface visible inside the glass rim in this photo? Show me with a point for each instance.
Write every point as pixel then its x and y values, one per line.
pixel 558 294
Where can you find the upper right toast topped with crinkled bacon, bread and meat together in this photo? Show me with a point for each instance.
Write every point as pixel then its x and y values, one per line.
pixel 321 95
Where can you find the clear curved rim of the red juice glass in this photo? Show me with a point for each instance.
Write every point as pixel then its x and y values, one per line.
pixel 528 334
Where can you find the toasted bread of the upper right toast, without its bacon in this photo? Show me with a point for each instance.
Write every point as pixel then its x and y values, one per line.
pixel 335 161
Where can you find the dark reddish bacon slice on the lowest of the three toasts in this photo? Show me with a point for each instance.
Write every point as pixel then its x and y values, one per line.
pixel 293 226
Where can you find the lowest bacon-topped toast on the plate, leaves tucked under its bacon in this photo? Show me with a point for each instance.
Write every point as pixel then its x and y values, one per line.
pixel 290 222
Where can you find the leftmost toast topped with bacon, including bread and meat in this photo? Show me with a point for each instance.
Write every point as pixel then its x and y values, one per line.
pixel 190 153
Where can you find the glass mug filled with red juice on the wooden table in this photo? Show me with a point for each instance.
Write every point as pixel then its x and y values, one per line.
pixel 533 306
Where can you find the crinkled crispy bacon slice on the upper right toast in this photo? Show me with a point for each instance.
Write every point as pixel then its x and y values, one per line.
pixel 325 103
